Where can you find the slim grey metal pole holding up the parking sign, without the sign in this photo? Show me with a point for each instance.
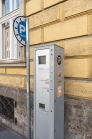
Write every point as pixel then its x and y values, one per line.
pixel 28 78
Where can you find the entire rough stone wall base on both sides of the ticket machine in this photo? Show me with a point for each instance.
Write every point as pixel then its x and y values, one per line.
pixel 78 114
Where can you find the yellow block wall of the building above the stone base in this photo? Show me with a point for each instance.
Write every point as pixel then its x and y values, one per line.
pixel 68 24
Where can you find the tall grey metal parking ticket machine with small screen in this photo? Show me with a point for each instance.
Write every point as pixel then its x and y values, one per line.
pixel 48 92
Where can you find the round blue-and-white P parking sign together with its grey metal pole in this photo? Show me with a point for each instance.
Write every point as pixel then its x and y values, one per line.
pixel 21 32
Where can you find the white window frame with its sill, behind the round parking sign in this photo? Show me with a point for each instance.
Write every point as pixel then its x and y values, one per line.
pixel 17 12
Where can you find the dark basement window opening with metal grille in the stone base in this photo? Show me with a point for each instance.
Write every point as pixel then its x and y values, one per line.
pixel 7 107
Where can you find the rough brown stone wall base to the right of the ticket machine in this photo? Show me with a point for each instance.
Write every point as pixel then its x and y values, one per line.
pixel 78 118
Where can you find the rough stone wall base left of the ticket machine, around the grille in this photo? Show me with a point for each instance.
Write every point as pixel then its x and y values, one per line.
pixel 20 111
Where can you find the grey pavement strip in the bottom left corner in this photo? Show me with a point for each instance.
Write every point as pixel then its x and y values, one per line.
pixel 7 133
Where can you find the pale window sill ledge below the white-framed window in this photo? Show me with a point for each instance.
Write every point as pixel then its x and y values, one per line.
pixel 12 63
